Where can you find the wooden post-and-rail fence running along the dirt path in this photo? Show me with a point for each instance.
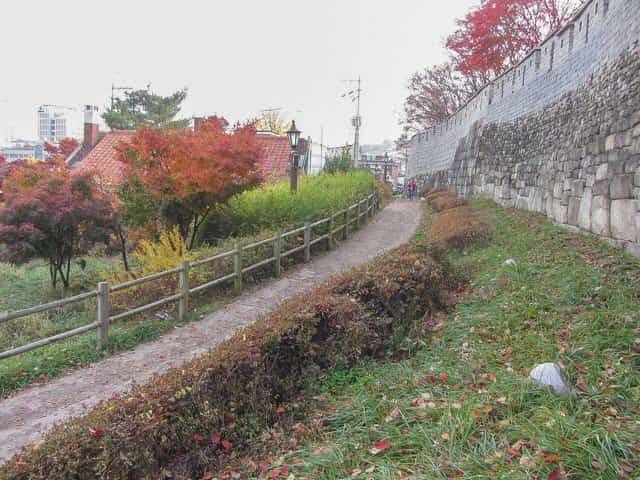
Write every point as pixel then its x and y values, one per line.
pixel 364 210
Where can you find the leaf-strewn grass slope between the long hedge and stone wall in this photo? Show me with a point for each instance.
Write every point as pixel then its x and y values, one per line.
pixel 460 405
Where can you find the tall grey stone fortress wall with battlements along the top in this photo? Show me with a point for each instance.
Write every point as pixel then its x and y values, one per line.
pixel 559 133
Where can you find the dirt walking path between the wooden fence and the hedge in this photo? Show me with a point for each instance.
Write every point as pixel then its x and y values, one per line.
pixel 26 416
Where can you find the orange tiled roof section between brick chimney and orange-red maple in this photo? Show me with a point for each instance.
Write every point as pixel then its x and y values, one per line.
pixel 102 160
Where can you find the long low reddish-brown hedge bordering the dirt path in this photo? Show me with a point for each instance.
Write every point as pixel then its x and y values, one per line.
pixel 190 418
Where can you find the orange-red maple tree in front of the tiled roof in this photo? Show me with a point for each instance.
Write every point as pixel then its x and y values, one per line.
pixel 190 173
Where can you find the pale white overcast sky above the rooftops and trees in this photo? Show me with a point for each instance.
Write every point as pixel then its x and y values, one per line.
pixel 236 57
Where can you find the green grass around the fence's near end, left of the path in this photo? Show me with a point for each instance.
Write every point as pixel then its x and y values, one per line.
pixel 26 286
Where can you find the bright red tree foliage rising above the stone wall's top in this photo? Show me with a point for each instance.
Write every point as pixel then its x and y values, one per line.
pixel 496 35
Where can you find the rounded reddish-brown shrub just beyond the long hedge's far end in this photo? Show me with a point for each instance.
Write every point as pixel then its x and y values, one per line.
pixel 458 227
